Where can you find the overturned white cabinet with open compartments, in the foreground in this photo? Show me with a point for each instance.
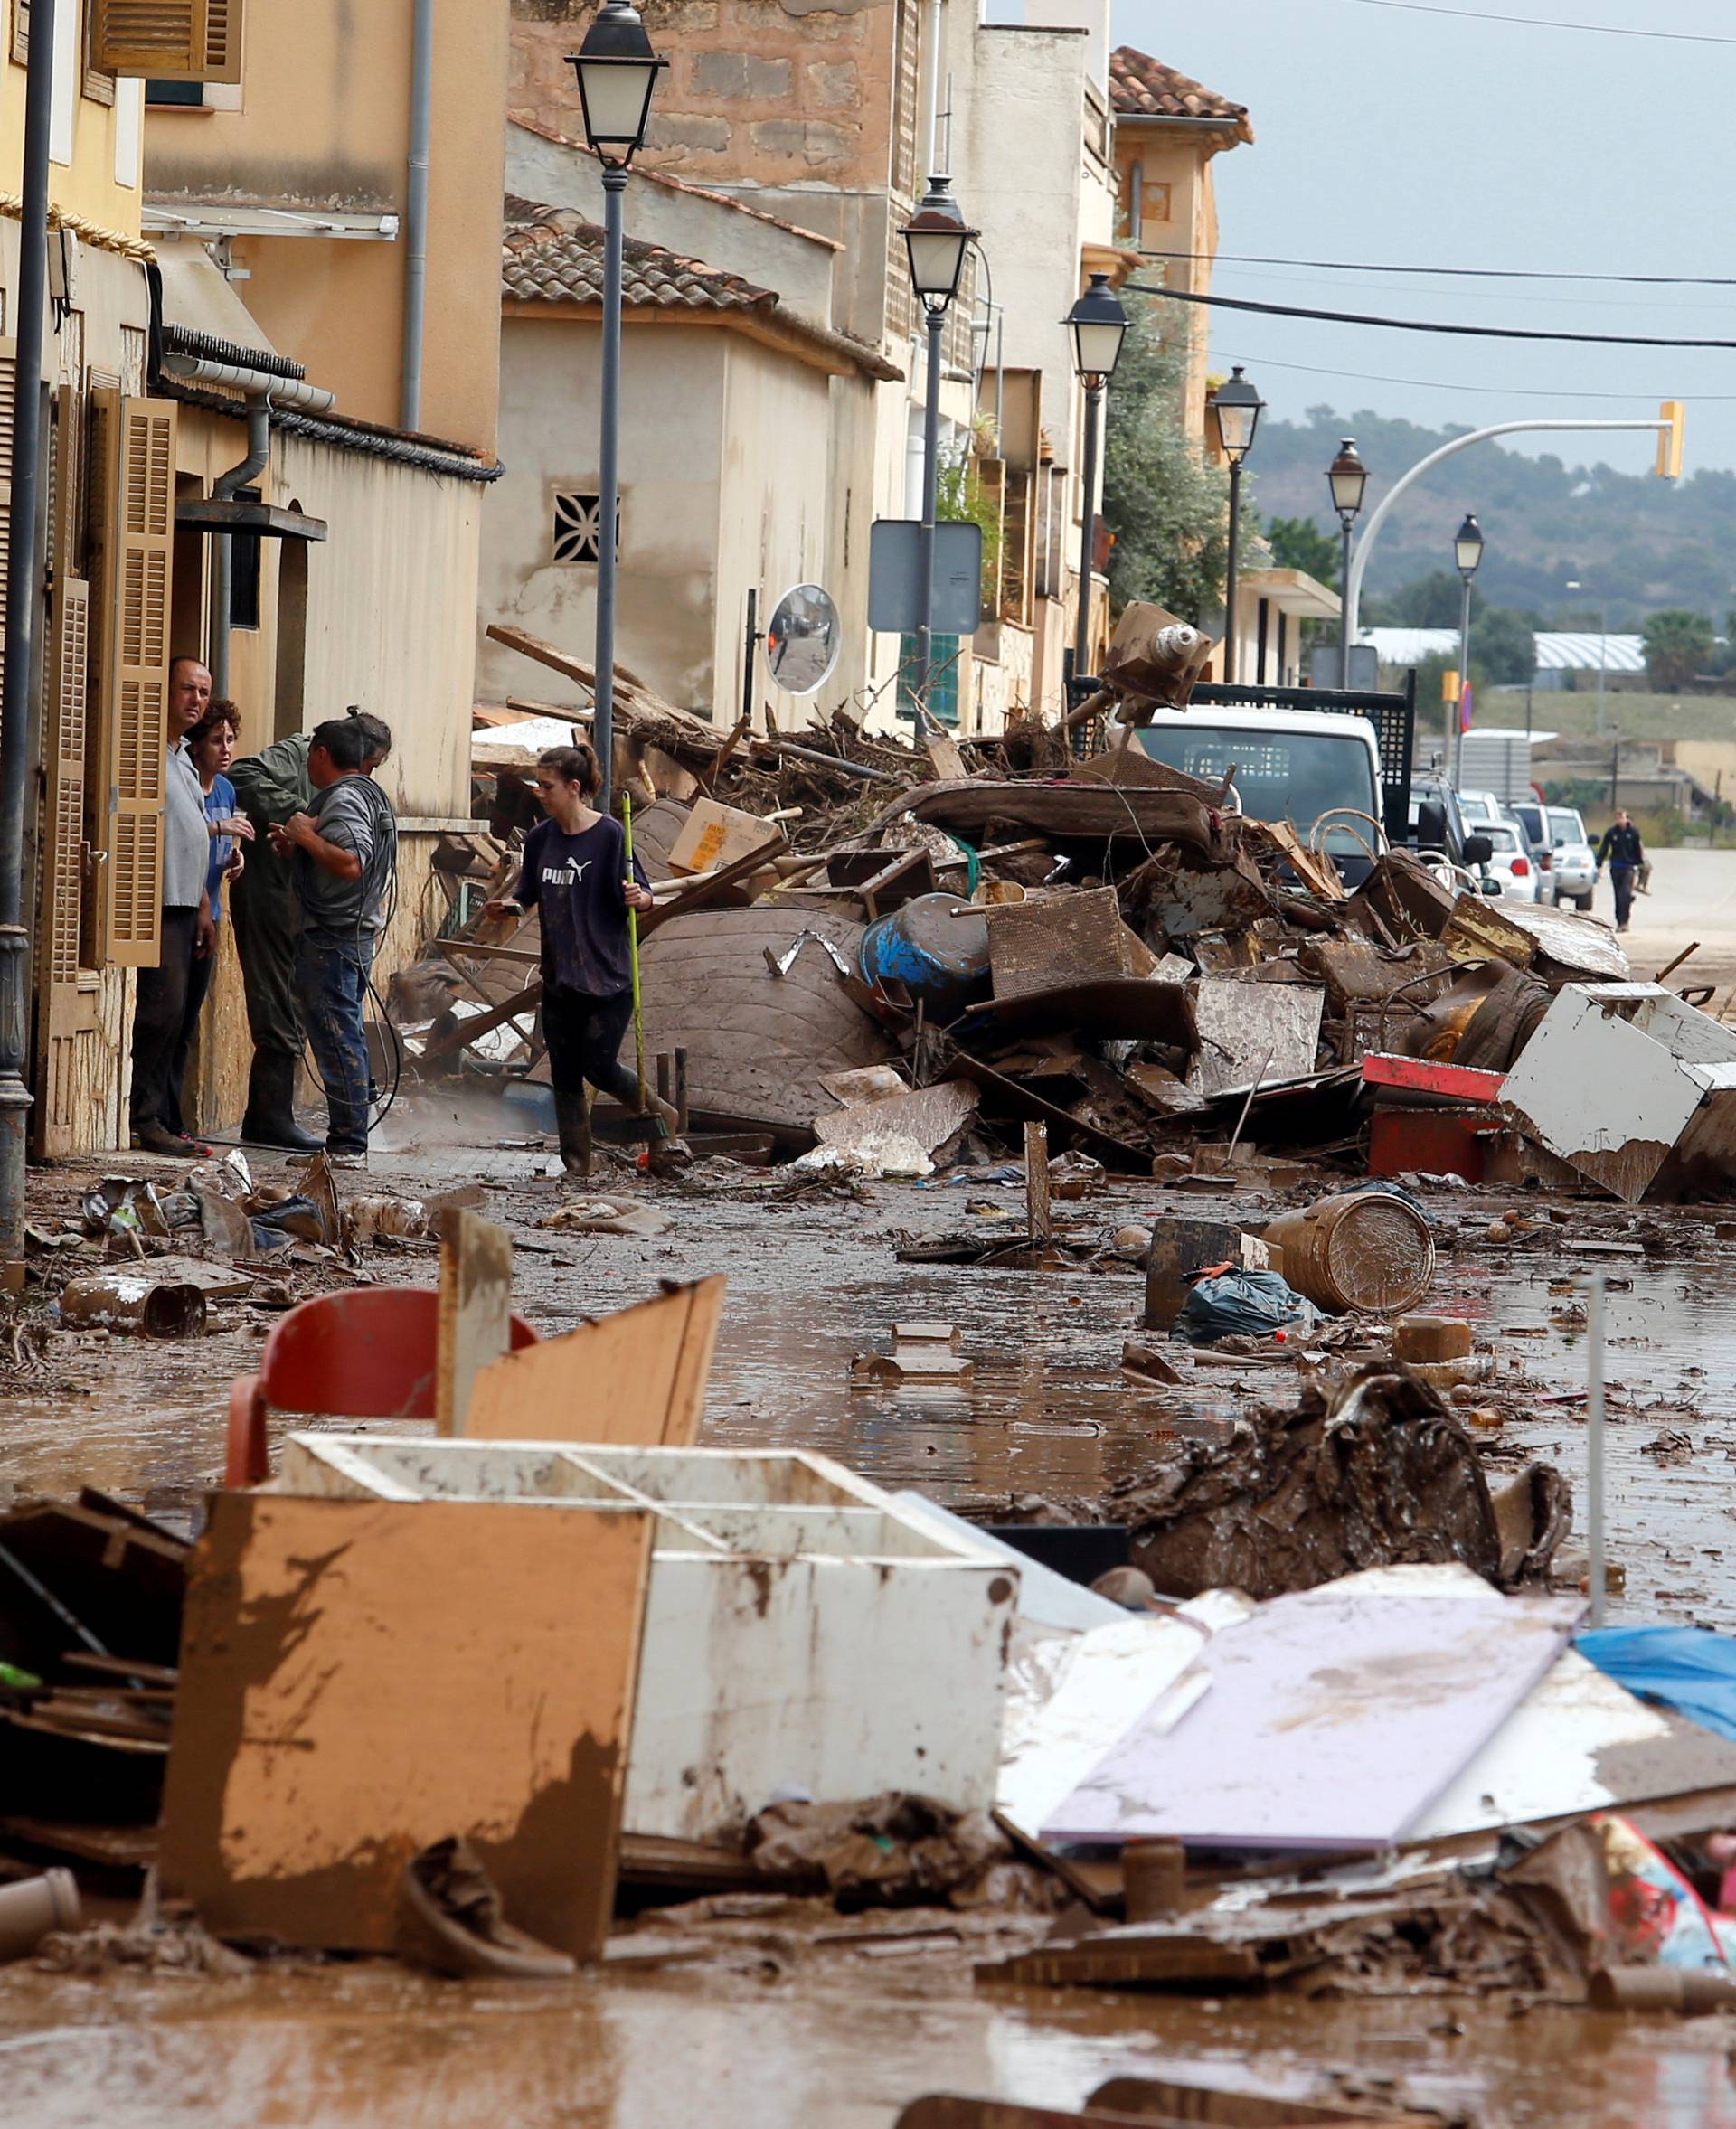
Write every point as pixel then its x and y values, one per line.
pixel 802 1630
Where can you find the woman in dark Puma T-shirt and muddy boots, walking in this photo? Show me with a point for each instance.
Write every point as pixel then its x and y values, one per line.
pixel 574 876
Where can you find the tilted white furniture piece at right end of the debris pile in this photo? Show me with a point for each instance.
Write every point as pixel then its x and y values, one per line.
pixel 1633 1089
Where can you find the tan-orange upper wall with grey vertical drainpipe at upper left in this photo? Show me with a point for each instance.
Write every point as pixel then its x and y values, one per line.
pixel 325 122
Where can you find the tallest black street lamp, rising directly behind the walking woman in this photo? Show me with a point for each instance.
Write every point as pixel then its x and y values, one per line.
pixel 617 71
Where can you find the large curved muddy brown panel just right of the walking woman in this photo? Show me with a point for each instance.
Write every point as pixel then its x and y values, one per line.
pixel 757 1044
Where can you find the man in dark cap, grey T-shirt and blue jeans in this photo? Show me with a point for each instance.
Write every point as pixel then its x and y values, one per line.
pixel 346 865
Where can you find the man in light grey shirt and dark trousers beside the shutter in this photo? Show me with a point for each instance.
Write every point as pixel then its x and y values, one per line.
pixel 161 1000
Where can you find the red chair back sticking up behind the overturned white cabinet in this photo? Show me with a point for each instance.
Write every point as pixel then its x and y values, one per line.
pixel 363 1355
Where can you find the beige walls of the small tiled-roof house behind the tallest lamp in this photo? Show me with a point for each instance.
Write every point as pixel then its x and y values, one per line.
pixel 725 486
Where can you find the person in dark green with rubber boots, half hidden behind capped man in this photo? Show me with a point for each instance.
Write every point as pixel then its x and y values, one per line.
pixel 265 910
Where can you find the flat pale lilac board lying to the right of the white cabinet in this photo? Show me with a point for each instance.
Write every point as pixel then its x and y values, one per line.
pixel 1334 1721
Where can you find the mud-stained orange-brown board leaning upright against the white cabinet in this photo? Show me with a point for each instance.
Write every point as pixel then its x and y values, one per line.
pixel 361 1679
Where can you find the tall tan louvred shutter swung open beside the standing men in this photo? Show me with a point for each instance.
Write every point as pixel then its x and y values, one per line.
pixel 140 552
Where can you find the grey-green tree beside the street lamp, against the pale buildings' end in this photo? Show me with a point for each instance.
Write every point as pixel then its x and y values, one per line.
pixel 1168 510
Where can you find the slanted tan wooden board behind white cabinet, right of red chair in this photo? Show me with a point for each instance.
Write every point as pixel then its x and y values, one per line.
pixel 636 1379
